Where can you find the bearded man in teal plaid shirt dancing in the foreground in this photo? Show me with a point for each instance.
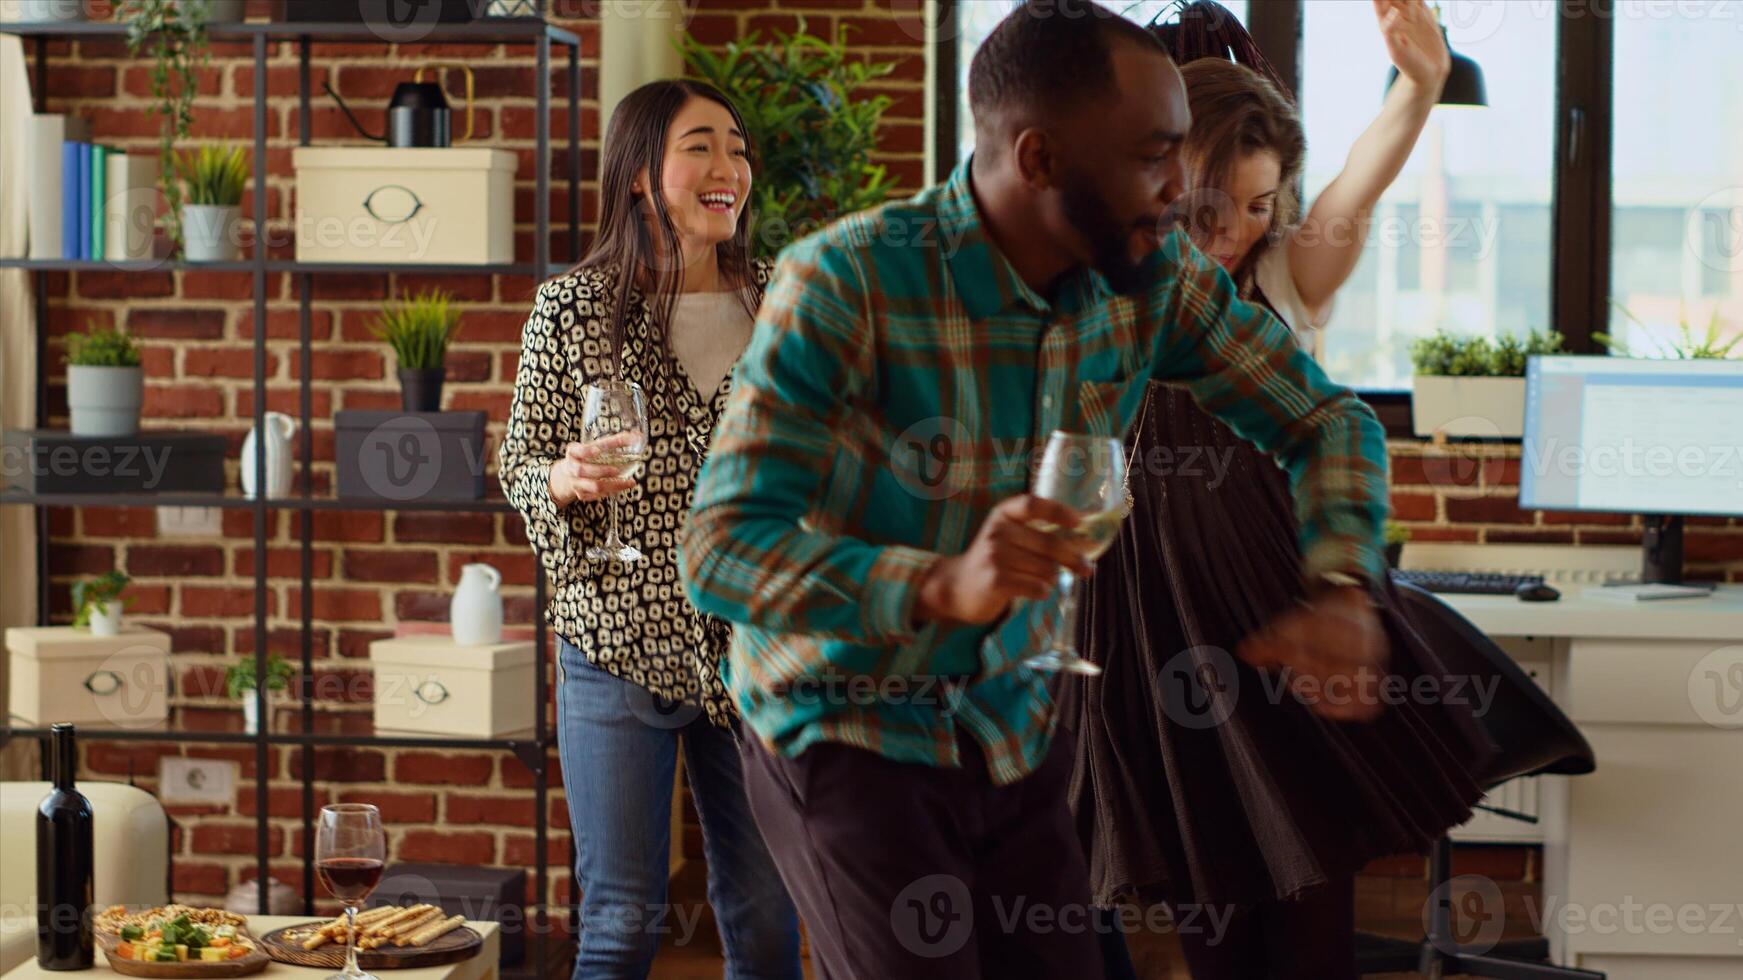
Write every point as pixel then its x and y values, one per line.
pixel 864 517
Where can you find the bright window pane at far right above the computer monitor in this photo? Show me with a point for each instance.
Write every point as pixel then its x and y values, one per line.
pixel 1678 175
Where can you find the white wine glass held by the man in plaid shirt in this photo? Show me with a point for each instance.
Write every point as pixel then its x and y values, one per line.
pixel 1089 475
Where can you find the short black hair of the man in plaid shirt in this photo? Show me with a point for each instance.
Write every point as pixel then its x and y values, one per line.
pixel 1050 55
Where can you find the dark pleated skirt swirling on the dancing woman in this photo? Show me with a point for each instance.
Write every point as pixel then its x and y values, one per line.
pixel 1191 784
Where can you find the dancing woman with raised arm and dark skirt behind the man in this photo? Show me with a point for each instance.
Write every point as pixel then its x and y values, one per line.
pixel 1200 780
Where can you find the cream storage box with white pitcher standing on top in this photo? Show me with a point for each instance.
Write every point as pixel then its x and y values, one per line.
pixel 430 684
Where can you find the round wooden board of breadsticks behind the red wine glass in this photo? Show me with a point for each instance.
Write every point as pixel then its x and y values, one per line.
pixel 388 937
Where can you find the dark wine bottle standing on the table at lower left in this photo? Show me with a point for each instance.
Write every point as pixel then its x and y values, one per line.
pixel 64 866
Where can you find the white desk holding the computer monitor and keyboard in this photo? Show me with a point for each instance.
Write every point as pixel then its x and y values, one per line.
pixel 1643 859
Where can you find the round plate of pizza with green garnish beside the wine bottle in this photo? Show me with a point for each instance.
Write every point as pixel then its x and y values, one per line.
pixel 179 943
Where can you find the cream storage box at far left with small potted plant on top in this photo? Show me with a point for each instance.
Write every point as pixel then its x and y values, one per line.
pixel 65 674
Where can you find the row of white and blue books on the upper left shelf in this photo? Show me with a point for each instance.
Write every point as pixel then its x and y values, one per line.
pixel 88 201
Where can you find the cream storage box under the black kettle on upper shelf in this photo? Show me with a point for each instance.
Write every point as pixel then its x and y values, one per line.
pixel 405 207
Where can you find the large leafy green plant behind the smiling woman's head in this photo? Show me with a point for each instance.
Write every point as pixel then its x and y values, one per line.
pixel 813 130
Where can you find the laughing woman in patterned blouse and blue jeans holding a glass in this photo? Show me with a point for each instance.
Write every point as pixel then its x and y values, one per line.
pixel 663 299
